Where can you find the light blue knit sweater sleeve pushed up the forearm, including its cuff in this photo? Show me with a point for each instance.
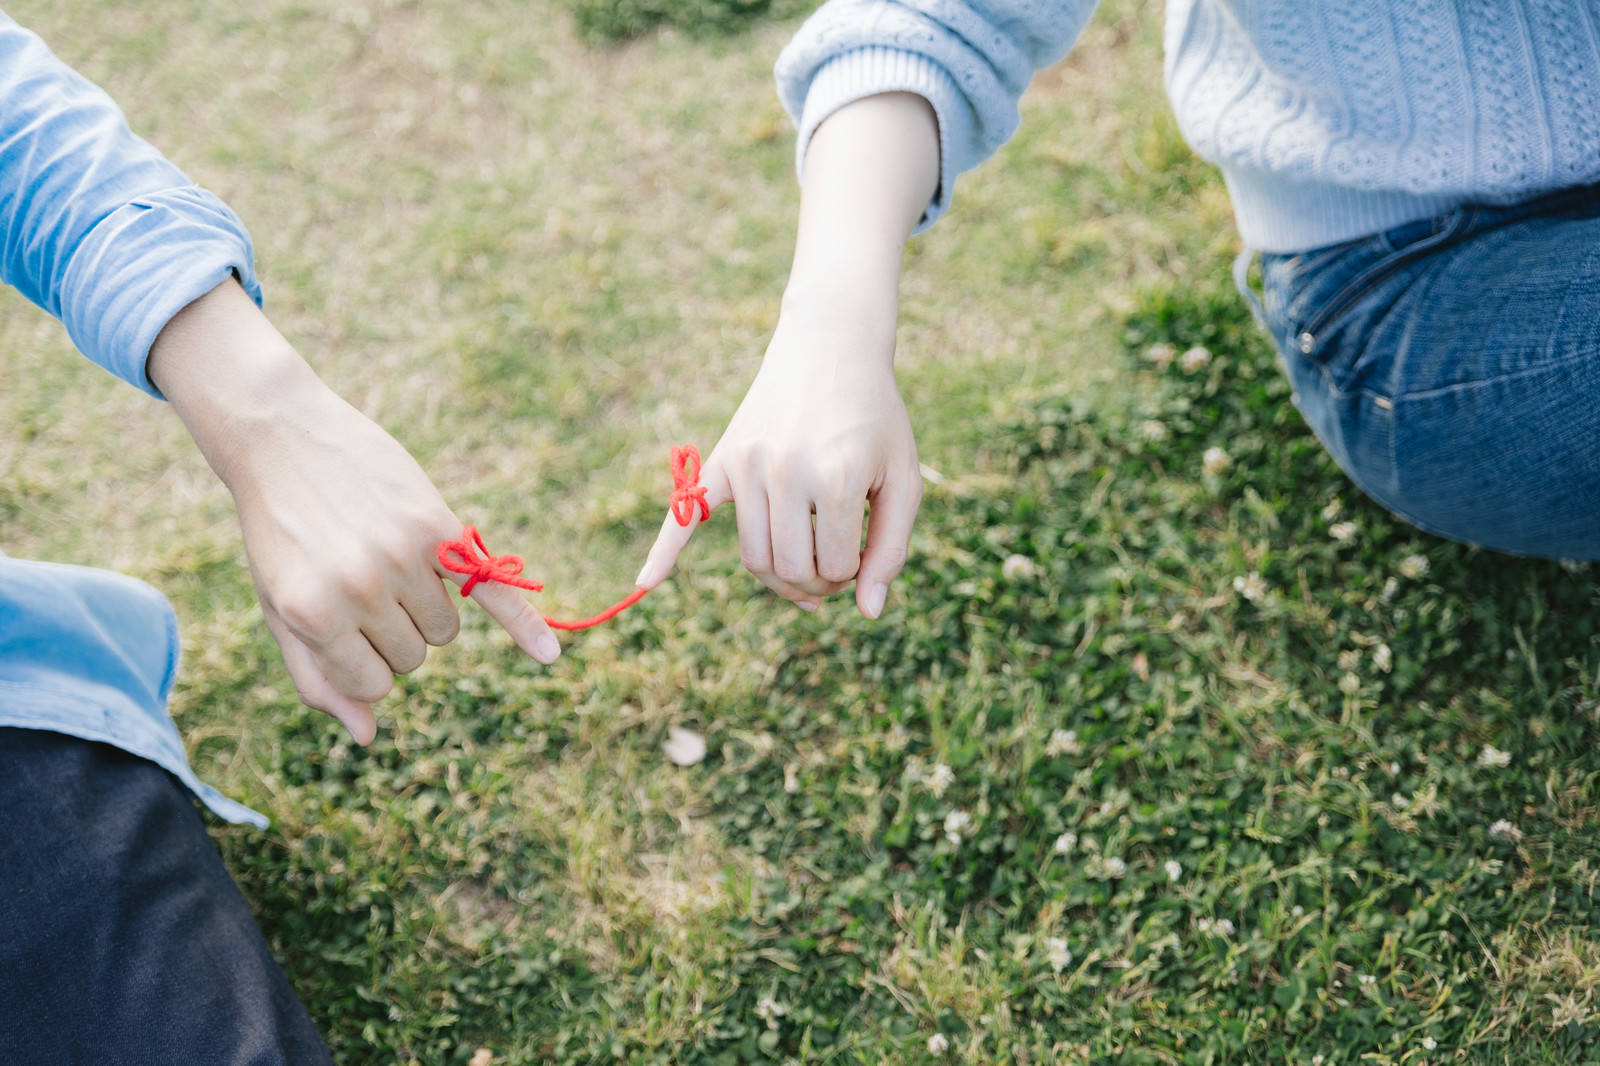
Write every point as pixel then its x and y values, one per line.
pixel 969 58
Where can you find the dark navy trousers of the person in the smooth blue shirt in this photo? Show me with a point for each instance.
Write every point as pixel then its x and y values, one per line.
pixel 122 939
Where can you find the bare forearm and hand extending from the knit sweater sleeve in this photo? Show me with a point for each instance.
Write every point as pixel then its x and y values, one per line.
pixel 823 430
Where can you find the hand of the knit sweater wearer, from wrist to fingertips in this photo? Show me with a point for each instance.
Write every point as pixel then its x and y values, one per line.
pixel 822 433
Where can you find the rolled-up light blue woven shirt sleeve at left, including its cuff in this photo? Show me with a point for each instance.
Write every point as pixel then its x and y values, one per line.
pixel 97 226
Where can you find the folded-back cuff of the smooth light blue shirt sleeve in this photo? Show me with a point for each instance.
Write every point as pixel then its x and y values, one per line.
pixel 145 263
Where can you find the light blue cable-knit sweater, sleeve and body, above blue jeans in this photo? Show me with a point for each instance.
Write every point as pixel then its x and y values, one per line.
pixel 1330 119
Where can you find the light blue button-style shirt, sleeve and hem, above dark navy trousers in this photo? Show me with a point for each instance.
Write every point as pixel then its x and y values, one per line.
pixel 103 233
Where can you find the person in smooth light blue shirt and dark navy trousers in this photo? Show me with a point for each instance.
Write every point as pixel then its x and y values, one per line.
pixel 122 937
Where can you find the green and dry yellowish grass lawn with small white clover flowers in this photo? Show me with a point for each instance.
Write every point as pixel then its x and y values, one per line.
pixel 1158 756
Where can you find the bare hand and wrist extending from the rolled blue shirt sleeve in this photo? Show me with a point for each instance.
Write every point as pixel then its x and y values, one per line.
pixel 340 523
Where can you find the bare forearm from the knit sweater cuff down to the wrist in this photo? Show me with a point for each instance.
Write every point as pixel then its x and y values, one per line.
pixel 871 170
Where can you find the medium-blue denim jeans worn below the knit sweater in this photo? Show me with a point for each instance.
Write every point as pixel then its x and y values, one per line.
pixel 1452 367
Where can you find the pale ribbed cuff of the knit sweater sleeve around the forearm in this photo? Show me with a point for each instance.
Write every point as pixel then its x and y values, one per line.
pixel 871 71
